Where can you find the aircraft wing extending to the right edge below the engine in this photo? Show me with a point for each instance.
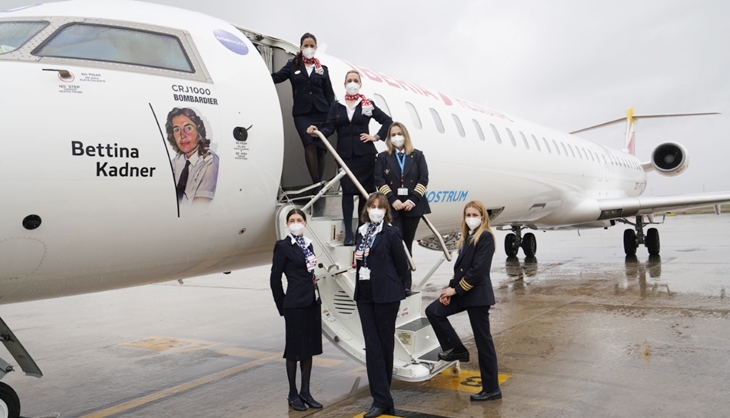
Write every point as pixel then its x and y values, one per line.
pixel 646 205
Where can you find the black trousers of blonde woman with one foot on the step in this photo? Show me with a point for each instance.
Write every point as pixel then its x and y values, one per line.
pixel 438 315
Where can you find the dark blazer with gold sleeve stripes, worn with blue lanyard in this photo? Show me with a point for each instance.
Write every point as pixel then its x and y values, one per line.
pixel 415 179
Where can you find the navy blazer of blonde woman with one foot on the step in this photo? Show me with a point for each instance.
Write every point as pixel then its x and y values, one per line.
pixel 471 272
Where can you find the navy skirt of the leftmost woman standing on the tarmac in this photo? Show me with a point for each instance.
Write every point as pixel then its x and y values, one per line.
pixel 303 332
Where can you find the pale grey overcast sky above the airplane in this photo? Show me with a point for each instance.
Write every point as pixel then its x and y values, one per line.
pixel 566 64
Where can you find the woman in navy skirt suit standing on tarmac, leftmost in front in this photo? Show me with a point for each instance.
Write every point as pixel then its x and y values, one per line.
pixel 294 257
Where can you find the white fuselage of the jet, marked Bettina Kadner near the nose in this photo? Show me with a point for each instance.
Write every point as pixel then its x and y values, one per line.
pixel 101 231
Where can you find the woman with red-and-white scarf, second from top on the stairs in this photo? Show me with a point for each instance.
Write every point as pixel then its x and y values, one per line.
pixel 354 143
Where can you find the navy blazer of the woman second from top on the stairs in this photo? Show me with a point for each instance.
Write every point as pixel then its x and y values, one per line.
pixel 348 132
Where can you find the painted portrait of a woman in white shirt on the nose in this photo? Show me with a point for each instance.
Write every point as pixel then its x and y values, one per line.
pixel 195 166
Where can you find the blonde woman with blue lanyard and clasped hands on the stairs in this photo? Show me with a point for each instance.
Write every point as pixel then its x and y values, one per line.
pixel 401 174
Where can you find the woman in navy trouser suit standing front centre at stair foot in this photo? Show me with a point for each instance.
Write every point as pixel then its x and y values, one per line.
pixel 382 271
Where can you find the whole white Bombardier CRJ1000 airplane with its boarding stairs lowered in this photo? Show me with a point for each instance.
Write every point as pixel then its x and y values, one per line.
pixel 93 97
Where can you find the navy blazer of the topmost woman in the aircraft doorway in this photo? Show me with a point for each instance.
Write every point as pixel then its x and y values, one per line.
pixel 309 91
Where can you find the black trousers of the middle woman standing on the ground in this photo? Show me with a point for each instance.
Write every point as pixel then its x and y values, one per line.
pixel 378 329
